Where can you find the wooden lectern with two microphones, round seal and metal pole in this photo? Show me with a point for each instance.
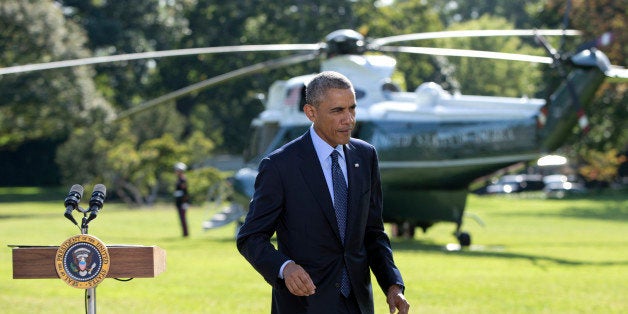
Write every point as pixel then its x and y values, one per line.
pixel 83 261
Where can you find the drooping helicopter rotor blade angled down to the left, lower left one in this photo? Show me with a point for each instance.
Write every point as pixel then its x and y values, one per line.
pixel 258 67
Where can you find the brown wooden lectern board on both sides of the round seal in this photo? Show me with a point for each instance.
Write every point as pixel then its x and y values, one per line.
pixel 37 262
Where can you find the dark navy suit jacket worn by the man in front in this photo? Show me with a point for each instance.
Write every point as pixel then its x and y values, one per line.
pixel 292 199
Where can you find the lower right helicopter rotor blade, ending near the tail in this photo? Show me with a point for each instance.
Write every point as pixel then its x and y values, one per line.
pixel 468 53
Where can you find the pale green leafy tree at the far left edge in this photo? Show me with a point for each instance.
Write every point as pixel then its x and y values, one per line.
pixel 45 104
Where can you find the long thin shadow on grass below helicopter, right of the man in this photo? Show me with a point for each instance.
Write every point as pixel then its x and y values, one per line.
pixel 494 252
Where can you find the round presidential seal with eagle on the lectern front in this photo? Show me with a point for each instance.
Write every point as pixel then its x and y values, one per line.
pixel 82 261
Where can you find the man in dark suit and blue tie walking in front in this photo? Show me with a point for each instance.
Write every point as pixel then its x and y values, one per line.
pixel 321 195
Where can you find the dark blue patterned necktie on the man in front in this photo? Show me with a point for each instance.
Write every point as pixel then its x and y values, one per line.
pixel 340 206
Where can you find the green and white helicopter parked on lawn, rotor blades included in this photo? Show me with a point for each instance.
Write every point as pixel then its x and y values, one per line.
pixel 431 144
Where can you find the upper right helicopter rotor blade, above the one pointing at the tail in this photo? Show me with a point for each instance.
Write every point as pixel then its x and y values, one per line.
pixel 376 43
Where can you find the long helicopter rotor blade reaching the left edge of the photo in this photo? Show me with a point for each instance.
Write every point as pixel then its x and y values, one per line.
pixel 158 54
